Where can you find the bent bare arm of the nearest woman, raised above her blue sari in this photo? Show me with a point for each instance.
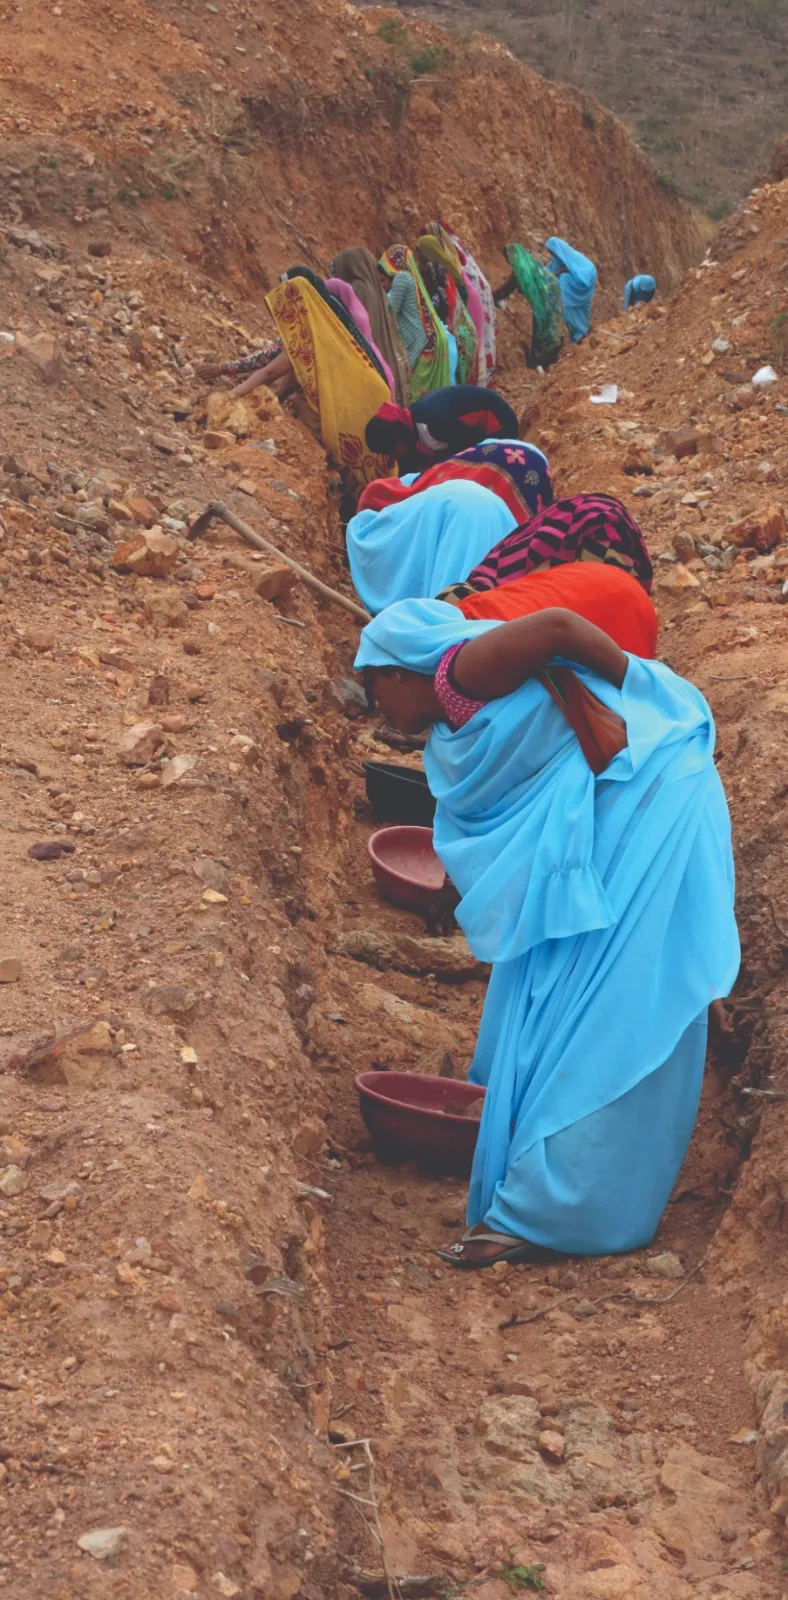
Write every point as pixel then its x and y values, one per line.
pixel 507 657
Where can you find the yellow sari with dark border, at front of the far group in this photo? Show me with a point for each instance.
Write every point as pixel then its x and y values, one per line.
pixel 340 385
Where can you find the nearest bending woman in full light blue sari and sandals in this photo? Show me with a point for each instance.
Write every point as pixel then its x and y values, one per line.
pixel 597 876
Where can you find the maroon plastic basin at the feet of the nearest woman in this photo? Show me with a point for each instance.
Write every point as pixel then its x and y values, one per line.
pixel 404 1116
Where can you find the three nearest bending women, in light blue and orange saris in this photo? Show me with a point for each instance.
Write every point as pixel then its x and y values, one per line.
pixel 582 820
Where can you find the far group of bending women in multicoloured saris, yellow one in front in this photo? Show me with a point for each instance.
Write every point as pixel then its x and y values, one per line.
pixel 398 332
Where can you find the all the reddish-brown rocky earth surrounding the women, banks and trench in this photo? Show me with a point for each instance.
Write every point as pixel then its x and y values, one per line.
pixel 212 1295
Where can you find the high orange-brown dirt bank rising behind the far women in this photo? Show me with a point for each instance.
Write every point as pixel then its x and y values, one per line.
pixel 243 143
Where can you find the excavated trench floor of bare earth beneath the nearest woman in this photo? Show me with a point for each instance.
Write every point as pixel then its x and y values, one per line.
pixel 593 1415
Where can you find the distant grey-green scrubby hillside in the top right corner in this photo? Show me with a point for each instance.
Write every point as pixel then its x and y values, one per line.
pixel 704 86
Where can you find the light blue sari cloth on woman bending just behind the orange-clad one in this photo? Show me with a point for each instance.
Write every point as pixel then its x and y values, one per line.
pixel 424 545
